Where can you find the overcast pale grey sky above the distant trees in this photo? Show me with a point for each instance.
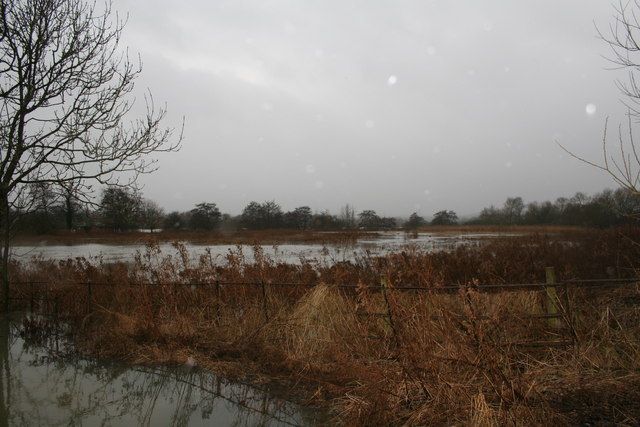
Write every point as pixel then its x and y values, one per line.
pixel 396 106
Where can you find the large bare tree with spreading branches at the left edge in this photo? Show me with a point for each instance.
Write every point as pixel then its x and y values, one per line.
pixel 64 105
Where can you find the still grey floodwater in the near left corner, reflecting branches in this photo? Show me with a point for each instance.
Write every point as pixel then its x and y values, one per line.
pixel 41 383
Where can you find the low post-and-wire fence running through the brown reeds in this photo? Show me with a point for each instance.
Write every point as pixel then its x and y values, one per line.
pixel 558 312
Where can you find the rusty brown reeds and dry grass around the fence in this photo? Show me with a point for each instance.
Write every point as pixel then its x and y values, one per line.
pixel 378 355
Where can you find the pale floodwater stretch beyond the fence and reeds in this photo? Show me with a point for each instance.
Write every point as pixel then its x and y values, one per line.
pixel 376 244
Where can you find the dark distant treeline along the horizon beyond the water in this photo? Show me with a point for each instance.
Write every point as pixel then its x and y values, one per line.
pixel 121 209
